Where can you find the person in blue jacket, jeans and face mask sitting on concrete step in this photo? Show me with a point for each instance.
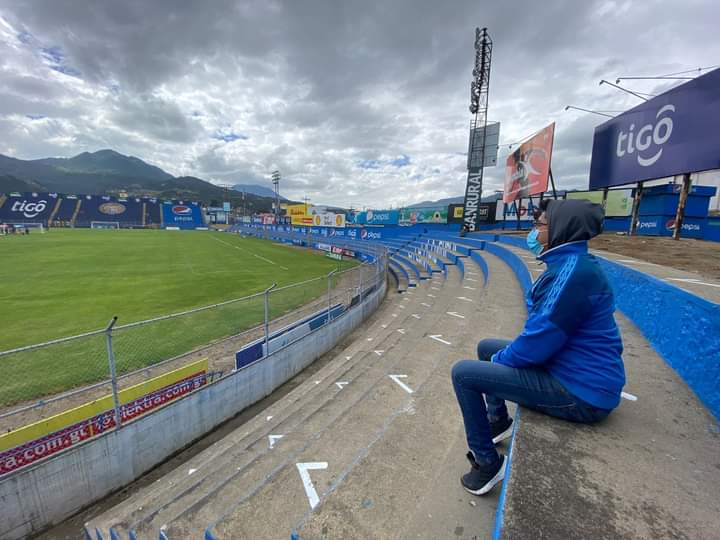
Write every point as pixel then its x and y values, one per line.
pixel 567 362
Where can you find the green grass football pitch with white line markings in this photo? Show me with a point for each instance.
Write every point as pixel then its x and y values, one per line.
pixel 67 282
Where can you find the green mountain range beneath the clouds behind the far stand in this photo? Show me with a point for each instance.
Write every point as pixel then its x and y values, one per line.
pixel 107 172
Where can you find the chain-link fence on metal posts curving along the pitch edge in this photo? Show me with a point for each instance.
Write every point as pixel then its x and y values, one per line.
pixel 47 379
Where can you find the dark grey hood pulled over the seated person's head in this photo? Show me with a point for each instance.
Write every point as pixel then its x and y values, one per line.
pixel 573 220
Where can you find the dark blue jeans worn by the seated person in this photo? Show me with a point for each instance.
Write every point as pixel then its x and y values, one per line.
pixel 533 388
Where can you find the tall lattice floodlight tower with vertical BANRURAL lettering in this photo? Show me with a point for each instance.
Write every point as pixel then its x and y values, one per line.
pixel 479 92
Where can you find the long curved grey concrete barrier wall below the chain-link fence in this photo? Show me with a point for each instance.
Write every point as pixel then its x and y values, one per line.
pixel 49 492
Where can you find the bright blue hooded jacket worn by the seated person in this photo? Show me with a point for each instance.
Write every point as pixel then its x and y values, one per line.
pixel 571 331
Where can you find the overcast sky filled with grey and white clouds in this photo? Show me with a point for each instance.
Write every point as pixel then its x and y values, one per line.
pixel 357 103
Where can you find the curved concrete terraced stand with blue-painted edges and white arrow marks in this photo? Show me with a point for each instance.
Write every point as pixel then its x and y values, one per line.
pixel 384 461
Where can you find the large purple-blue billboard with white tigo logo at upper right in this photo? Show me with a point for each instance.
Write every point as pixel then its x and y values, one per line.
pixel 674 133
